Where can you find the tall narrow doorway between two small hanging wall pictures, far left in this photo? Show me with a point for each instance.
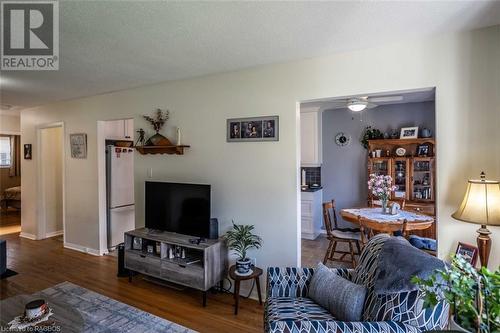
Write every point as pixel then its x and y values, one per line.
pixel 51 181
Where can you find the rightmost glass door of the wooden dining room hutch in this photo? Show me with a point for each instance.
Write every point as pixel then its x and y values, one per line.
pixel 422 179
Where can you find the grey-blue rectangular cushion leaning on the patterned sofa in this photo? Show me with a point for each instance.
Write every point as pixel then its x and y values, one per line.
pixel 342 298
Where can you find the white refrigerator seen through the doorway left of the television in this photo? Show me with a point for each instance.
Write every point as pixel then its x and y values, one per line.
pixel 120 193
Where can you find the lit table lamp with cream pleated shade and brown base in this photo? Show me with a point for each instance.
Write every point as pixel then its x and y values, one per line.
pixel 481 205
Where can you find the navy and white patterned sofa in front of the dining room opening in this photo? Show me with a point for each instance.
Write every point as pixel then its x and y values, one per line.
pixel 289 309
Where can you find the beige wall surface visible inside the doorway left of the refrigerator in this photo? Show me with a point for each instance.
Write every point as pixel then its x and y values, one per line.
pixel 51 169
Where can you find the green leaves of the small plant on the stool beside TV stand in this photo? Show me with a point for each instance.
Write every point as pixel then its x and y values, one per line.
pixel 240 239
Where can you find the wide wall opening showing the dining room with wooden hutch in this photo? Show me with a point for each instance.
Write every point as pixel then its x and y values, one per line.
pixel 336 164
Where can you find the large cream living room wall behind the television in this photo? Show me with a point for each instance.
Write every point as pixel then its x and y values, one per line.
pixel 258 182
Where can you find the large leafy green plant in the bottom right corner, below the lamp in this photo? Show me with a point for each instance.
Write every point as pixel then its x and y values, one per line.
pixel 473 295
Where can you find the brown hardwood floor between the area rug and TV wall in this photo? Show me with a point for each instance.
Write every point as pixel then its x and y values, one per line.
pixel 44 263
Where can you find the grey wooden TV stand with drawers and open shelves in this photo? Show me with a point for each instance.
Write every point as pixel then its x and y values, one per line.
pixel 203 267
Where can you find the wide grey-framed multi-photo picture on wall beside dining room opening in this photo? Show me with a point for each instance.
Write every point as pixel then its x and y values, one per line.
pixel 252 129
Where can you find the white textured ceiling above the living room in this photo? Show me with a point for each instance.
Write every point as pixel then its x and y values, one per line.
pixel 112 45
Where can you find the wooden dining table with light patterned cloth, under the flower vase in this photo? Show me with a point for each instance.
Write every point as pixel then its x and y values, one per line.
pixel 374 219
